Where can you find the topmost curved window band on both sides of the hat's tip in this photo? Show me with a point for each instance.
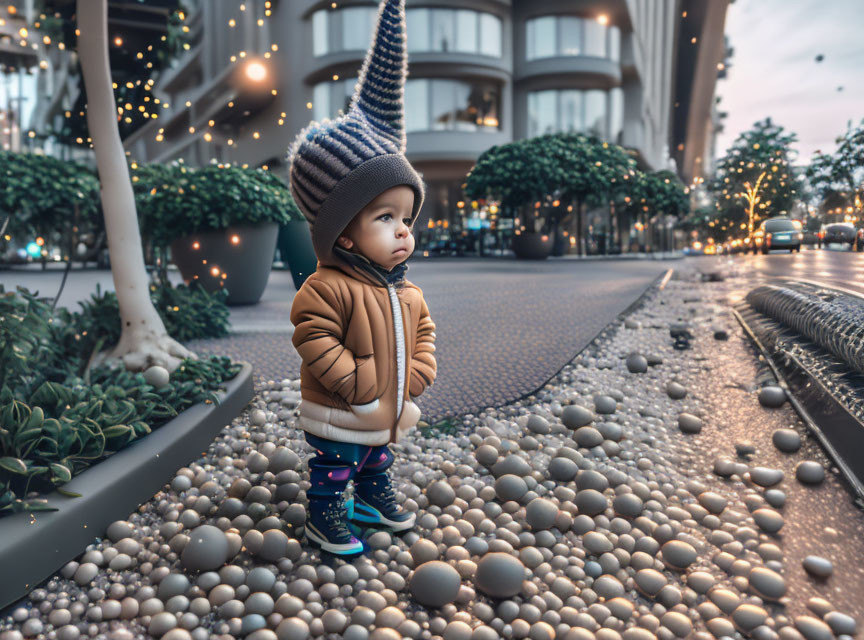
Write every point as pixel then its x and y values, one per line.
pixel 429 29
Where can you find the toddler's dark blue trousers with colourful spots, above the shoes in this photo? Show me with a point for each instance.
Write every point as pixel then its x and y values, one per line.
pixel 336 463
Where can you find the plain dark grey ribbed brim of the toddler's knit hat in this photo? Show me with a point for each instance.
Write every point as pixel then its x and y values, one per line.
pixel 354 192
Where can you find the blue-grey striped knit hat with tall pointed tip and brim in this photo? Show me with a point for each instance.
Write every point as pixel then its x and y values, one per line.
pixel 339 166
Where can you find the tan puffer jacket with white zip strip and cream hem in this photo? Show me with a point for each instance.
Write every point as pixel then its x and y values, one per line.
pixel 353 335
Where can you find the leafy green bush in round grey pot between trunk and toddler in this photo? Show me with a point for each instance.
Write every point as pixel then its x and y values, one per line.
pixel 220 222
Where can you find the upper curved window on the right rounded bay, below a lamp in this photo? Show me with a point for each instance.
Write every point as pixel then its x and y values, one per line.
pixel 552 36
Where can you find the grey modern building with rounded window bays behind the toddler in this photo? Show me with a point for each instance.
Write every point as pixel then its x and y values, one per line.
pixel 482 73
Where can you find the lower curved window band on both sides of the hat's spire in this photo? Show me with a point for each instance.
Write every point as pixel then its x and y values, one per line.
pixel 431 104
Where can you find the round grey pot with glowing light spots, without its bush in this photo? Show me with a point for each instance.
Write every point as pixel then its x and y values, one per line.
pixel 238 258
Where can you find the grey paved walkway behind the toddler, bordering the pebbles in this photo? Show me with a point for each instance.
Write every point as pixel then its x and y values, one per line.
pixel 503 327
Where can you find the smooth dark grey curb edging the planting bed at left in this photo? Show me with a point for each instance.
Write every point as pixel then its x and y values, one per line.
pixel 33 546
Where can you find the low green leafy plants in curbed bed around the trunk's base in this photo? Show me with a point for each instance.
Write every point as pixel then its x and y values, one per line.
pixel 56 418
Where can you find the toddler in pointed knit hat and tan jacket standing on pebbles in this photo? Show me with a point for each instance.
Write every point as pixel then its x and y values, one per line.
pixel 363 331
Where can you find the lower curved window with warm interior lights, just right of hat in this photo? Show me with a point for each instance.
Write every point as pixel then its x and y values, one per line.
pixel 451 105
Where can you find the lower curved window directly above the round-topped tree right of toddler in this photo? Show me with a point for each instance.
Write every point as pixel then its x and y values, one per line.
pixel 593 111
